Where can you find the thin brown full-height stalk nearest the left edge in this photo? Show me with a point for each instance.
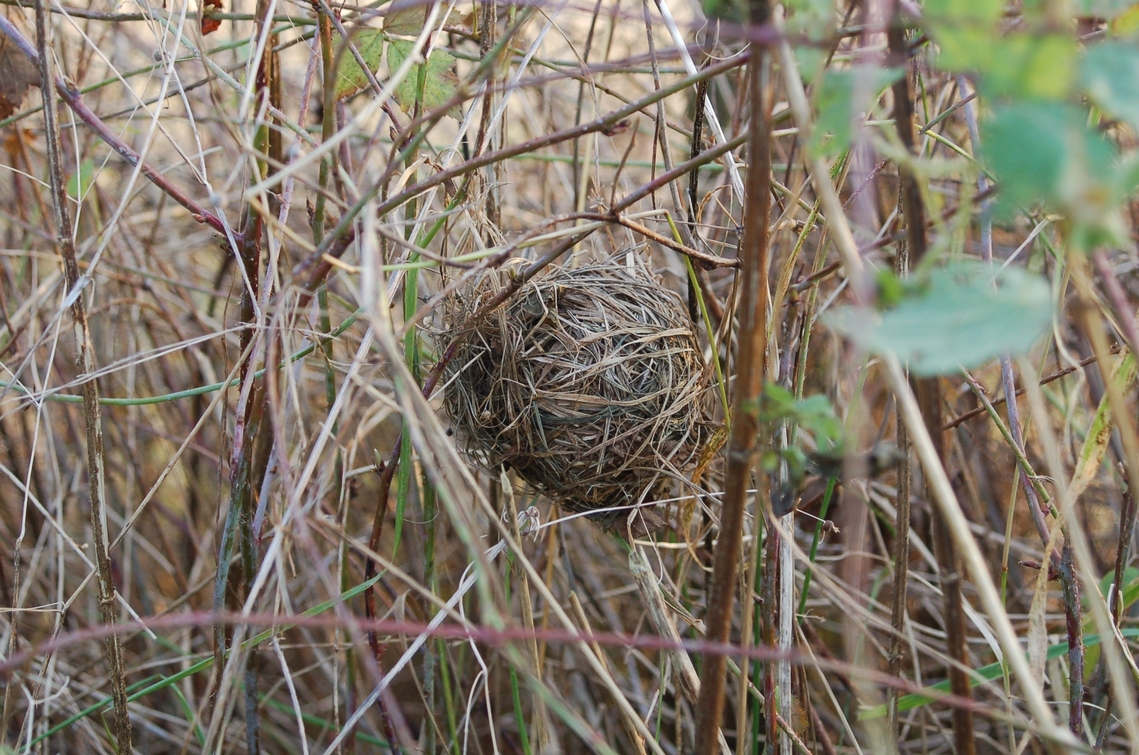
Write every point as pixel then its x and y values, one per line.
pixel 93 418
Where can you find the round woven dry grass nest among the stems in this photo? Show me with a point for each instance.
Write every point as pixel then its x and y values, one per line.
pixel 589 383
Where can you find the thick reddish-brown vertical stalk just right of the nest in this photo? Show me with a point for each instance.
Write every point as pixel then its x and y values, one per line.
pixel 750 371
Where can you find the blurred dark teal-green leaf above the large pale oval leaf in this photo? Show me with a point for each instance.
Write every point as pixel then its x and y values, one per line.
pixel 1046 153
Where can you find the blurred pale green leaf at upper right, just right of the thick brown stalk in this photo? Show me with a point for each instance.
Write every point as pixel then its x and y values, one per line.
pixel 838 105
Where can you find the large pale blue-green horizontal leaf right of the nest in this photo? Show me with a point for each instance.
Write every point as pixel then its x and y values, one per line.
pixel 962 319
